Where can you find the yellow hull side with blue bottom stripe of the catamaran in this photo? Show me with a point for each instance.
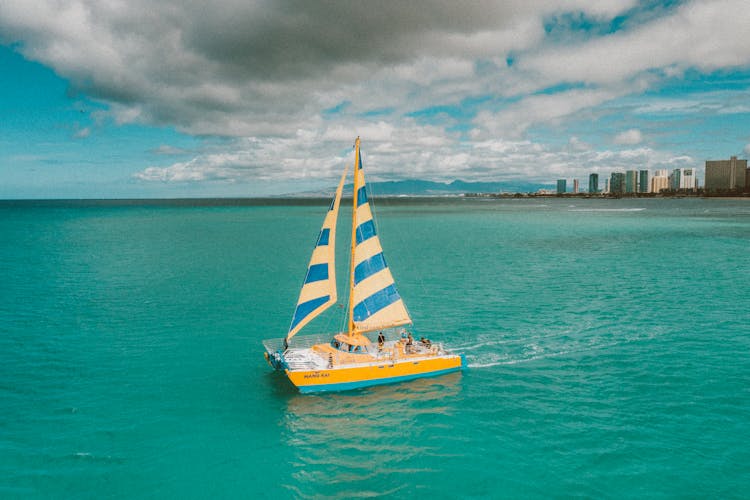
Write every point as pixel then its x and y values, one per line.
pixel 352 377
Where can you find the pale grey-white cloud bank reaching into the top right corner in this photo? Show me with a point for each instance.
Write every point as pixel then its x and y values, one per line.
pixel 700 35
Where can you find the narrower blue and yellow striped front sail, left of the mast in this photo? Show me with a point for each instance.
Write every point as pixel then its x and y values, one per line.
pixel 319 289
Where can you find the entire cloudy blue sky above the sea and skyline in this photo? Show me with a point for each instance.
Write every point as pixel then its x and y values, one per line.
pixel 177 98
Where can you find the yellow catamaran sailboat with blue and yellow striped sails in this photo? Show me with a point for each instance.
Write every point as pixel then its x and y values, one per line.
pixel 377 346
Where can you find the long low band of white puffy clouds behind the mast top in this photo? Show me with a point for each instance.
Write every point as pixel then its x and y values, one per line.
pixel 416 152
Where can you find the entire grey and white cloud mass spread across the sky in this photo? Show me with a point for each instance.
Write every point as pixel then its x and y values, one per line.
pixel 290 81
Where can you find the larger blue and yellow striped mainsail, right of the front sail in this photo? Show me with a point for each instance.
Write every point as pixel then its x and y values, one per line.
pixel 374 301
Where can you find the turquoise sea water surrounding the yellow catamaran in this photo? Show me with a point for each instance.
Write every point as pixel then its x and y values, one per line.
pixel 608 345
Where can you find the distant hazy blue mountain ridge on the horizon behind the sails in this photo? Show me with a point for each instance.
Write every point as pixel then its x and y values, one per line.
pixel 417 187
